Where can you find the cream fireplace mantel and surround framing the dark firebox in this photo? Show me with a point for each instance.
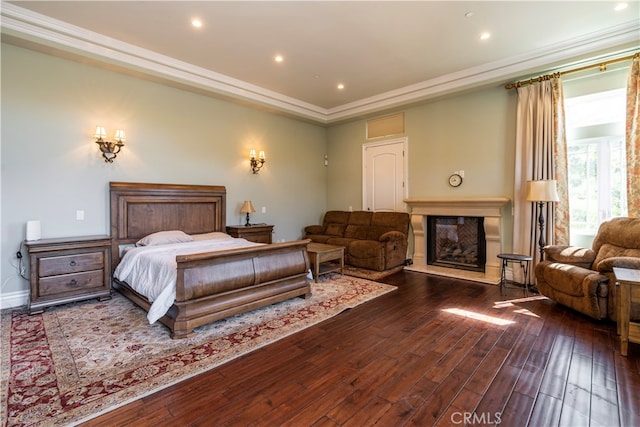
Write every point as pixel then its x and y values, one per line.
pixel 488 208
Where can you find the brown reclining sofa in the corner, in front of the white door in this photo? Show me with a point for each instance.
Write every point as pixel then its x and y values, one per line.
pixel 372 240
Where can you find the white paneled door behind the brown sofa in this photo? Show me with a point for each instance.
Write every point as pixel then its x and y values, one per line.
pixel 384 176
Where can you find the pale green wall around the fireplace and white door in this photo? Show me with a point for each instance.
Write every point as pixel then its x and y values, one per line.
pixel 474 132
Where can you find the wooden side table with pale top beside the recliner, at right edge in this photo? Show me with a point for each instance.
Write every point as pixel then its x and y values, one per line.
pixel 628 282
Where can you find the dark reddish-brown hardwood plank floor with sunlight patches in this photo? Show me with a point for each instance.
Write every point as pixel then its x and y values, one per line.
pixel 402 360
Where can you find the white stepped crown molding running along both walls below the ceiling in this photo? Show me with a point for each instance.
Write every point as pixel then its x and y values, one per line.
pixel 36 28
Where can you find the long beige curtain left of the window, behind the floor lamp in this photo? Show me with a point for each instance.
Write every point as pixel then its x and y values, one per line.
pixel 540 154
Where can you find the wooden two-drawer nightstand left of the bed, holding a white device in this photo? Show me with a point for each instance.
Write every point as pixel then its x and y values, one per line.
pixel 69 269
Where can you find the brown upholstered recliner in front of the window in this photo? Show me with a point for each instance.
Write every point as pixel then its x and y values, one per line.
pixel 583 278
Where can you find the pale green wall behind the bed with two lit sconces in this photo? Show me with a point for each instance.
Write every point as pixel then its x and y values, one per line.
pixel 51 166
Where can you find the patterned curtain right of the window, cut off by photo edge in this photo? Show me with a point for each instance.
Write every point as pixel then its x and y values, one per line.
pixel 633 138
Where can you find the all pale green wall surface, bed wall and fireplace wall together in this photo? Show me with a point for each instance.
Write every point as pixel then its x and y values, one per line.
pixel 51 168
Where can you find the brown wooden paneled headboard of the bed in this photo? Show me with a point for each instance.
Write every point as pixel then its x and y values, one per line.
pixel 139 209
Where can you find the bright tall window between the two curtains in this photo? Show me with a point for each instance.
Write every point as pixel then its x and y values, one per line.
pixel 596 161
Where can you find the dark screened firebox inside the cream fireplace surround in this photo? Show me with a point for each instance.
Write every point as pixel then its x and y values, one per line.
pixel 456 242
